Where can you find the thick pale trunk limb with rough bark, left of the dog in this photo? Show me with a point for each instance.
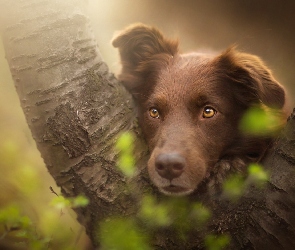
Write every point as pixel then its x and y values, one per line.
pixel 74 107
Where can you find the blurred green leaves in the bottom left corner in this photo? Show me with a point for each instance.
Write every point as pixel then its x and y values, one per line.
pixel 28 234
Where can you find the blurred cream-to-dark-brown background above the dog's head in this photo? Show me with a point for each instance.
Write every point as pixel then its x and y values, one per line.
pixel 262 27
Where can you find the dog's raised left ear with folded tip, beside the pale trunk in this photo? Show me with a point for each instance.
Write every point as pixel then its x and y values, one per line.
pixel 137 45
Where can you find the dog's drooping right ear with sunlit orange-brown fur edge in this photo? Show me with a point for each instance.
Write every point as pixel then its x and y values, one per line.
pixel 257 80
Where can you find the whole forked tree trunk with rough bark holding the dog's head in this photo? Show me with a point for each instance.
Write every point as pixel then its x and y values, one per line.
pixel 76 109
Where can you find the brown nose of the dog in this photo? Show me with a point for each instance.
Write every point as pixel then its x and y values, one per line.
pixel 170 166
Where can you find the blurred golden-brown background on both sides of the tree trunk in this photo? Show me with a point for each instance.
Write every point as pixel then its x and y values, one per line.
pixel 262 27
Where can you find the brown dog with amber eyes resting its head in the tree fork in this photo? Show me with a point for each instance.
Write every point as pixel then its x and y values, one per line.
pixel 190 106
